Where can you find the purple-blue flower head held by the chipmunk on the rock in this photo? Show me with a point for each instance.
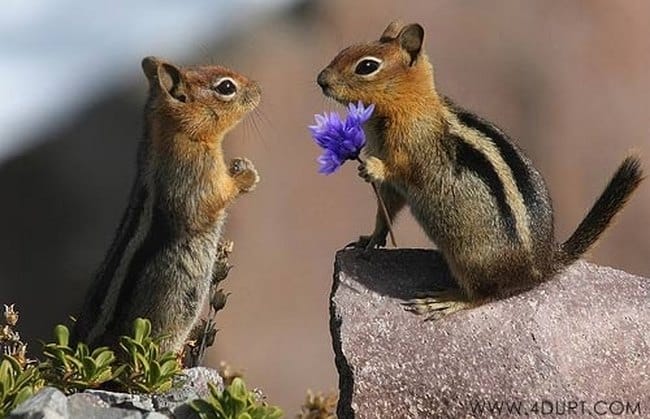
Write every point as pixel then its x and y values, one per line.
pixel 340 140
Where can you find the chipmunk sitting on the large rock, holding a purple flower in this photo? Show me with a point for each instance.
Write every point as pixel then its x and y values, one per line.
pixel 474 192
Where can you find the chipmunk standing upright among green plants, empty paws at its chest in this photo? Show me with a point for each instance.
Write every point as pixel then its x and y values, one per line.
pixel 161 261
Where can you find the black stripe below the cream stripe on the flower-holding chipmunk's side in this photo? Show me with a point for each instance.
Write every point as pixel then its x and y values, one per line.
pixel 469 158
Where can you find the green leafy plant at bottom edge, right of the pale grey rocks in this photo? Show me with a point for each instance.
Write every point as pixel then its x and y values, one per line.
pixel 235 402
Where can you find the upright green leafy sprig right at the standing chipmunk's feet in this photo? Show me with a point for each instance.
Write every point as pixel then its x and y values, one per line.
pixel 146 369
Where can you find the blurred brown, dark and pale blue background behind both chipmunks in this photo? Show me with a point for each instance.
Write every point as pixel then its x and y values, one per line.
pixel 569 80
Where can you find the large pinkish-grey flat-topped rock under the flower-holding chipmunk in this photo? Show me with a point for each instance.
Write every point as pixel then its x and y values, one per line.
pixel 577 344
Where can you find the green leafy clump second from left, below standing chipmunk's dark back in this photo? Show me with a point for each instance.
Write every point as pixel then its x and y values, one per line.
pixel 77 369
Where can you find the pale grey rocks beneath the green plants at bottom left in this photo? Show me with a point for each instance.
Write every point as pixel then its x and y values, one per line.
pixel 50 403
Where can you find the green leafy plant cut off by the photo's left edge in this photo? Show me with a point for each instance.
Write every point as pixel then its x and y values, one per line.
pixel 17 383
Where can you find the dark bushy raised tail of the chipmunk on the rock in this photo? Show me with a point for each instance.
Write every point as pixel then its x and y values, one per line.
pixel 626 179
